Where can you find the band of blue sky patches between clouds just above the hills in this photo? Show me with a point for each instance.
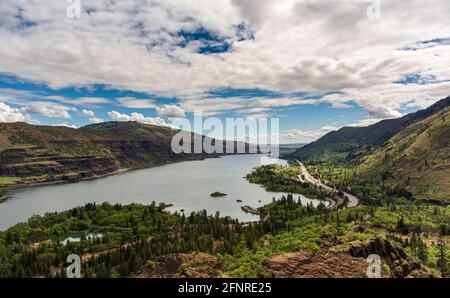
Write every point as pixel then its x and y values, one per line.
pixel 308 116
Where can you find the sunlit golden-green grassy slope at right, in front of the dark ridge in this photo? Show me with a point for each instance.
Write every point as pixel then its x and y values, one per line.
pixel 417 158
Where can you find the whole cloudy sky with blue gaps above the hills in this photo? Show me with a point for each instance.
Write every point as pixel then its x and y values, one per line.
pixel 317 65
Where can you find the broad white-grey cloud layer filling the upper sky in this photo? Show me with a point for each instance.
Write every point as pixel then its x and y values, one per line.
pixel 287 46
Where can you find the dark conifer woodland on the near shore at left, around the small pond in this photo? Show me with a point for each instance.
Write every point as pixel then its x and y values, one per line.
pixel 134 235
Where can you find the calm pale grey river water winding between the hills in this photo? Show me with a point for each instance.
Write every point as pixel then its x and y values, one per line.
pixel 187 185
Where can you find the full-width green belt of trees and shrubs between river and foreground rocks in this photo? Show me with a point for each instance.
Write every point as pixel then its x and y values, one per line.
pixel 135 235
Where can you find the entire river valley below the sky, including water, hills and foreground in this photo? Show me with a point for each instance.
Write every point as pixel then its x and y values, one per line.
pixel 334 206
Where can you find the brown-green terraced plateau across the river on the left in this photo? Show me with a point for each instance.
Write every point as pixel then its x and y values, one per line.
pixel 31 154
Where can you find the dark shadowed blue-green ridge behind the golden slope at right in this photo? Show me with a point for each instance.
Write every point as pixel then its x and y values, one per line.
pixel 349 142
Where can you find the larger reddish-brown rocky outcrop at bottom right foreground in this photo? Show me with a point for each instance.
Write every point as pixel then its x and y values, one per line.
pixel 351 263
